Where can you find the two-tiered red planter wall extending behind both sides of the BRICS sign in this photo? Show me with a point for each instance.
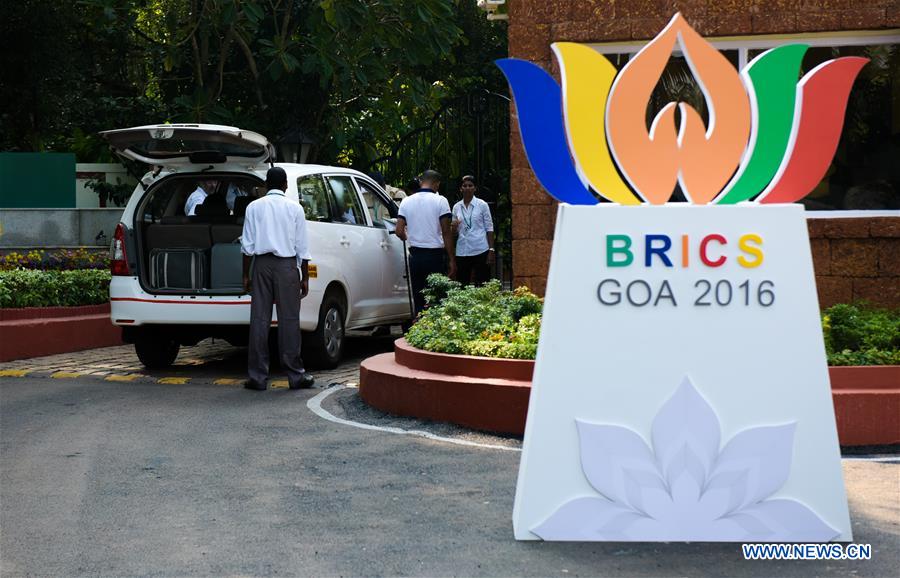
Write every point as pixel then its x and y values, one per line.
pixel 492 394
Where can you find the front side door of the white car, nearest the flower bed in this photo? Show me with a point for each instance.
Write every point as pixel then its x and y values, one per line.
pixel 392 258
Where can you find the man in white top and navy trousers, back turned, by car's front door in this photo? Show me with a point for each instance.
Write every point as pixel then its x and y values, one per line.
pixel 424 221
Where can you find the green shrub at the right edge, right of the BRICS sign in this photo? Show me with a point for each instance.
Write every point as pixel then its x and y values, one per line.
pixel 860 334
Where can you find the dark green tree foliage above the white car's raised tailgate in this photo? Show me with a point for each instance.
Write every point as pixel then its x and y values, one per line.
pixel 352 74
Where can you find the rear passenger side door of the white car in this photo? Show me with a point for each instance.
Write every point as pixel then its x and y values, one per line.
pixel 359 250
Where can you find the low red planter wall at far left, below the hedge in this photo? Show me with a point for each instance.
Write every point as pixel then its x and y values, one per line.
pixel 37 331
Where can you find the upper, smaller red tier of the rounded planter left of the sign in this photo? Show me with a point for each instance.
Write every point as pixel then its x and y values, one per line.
pixel 466 365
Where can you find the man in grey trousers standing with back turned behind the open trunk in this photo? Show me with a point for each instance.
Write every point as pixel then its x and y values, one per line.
pixel 276 241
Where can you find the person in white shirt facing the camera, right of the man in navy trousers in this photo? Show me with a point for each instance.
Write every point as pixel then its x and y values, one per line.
pixel 475 234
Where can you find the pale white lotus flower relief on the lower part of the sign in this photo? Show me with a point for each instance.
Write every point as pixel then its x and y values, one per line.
pixel 685 488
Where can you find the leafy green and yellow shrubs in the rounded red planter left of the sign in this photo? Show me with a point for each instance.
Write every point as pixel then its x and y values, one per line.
pixel 483 321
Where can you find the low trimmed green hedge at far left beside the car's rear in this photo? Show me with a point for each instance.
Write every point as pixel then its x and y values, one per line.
pixel 33 288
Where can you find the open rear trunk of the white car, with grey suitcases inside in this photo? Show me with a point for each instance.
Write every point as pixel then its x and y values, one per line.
pixel 193 255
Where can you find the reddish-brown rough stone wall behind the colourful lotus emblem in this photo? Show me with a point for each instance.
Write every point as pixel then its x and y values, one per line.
pixel 849 264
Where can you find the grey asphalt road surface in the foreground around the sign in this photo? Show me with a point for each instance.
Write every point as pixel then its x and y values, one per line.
pixel 104 478
